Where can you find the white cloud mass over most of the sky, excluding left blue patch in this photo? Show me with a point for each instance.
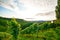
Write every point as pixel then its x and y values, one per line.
pixel 29 8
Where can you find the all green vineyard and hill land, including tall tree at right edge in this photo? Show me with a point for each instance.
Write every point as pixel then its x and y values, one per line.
pixel 19 29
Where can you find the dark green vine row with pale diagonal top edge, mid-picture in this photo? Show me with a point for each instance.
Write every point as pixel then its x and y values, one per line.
pixel 31 29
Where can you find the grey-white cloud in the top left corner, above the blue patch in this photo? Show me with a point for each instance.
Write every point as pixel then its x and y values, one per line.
pixel 9 4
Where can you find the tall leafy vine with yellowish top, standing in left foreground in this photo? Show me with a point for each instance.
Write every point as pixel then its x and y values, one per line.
pixel 14 28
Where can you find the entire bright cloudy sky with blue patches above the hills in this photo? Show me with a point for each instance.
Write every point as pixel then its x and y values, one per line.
pixel 30 10
